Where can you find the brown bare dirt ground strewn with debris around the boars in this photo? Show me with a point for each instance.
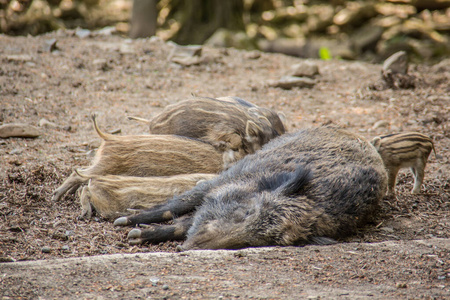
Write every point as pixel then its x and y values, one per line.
pixel 116 77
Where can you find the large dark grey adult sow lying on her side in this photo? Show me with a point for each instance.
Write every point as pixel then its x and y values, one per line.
pixel 311 186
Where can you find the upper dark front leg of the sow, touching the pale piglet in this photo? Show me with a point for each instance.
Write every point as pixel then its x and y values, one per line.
pixel 178 206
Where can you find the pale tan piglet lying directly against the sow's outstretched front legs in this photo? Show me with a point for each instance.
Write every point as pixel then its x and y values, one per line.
pixel 112 195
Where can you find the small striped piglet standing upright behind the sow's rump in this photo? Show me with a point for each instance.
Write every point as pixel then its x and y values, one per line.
pixel 404 150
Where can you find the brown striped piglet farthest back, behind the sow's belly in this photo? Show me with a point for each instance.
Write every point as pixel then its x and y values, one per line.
pixel 233 125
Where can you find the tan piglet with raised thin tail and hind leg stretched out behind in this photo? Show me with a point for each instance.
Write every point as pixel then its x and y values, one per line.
pixel 146 155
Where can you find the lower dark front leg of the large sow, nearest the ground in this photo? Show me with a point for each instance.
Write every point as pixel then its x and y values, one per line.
pixel 161 233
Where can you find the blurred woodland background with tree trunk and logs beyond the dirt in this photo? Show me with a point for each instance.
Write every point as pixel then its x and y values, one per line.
pixel 367 30
